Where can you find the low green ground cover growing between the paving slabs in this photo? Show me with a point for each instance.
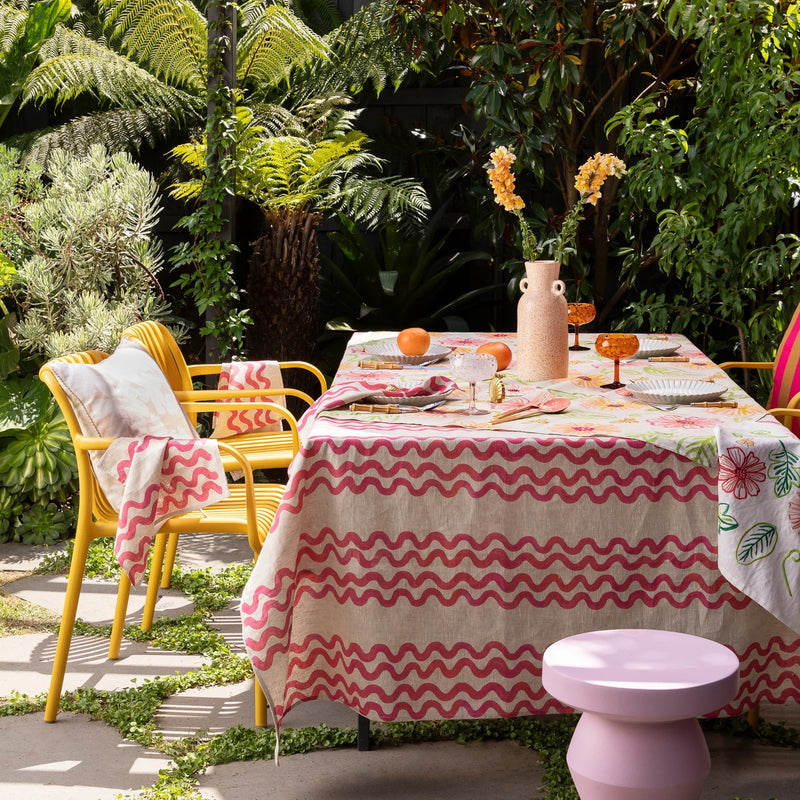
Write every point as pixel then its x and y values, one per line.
pixel 132 710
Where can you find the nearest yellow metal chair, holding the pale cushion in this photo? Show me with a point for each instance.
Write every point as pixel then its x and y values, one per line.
pixel 249 510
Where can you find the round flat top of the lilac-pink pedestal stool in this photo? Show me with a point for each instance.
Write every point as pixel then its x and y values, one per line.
pixel 641 673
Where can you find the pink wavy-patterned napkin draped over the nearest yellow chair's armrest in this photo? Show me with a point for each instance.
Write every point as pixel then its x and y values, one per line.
pixel 157 478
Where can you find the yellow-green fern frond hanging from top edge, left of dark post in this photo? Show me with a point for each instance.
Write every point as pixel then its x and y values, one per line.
pixel 169 37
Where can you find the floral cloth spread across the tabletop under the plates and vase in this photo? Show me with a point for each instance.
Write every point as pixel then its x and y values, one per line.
pixel 593 411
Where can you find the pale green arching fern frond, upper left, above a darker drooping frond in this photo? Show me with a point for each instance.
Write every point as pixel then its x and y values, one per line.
pixel 73 65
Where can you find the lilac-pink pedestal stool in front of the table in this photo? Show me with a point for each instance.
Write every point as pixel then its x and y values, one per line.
pixel 640 692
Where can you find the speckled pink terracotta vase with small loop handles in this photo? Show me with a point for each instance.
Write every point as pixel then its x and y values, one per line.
pixel 542 330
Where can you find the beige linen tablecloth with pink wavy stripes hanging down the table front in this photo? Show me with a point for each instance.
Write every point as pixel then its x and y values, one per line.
pixel 419 571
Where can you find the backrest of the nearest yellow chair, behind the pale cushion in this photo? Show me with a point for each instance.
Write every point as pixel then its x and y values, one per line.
pixel 92 499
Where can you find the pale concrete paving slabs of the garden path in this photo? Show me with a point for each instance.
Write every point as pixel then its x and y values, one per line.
pixel 80 759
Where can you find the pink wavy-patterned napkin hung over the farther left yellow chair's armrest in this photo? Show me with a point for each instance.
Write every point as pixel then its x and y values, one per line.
pixel 249 375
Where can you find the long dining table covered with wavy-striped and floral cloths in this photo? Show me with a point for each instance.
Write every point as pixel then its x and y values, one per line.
pixel 421 562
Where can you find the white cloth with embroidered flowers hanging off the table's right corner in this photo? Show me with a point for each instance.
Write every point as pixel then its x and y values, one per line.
pixel 759 518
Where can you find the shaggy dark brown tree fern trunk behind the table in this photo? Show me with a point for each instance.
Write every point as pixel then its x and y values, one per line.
pixel 283 288
